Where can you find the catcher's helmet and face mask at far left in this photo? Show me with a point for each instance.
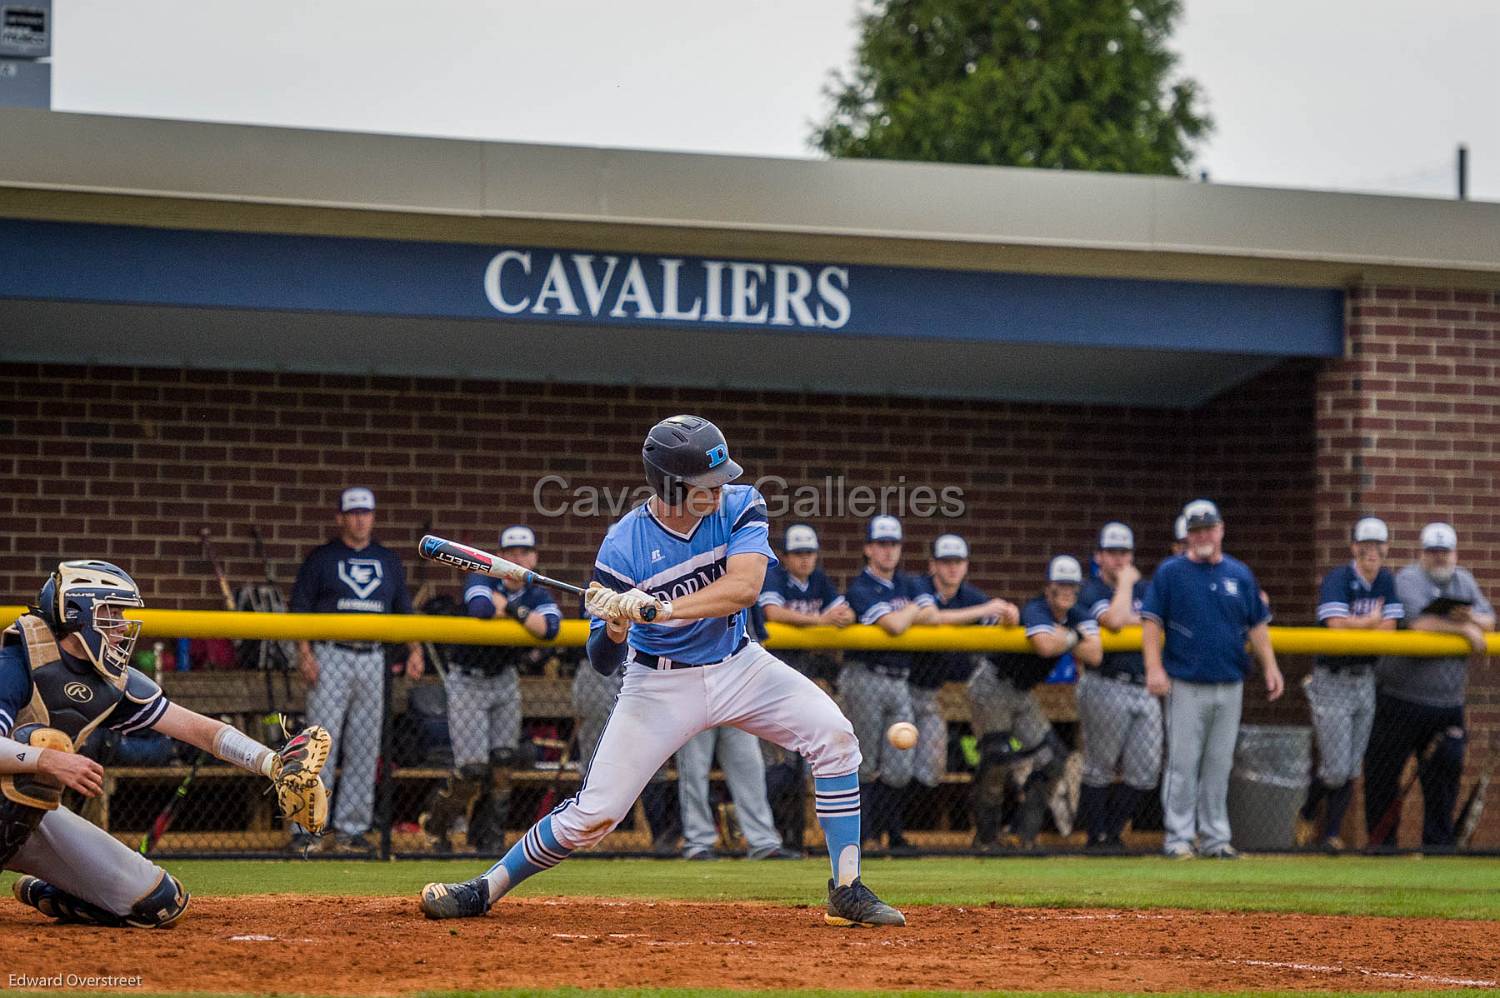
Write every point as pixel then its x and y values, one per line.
pixel 86 600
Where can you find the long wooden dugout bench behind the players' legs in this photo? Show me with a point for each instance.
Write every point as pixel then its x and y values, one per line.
pixel 133 795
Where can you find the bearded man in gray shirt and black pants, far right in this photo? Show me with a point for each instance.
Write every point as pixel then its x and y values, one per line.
pixel 1420 703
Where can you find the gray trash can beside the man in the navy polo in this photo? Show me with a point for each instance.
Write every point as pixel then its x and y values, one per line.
pixel 1268 786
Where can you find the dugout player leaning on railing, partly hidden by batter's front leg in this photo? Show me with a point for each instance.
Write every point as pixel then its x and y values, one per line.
pixel 797 594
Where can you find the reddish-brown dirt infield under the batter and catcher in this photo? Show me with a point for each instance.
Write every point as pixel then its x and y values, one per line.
pixel 383 946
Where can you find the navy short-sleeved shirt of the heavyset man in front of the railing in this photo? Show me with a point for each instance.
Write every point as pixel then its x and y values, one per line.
pixel 1207 613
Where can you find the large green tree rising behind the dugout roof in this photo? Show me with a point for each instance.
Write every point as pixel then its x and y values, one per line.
pixel 1070 85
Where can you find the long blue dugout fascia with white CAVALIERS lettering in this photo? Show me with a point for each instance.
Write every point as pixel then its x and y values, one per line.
pixel 508 284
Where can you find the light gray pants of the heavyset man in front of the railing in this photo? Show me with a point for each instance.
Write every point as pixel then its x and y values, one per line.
pixel 1202 727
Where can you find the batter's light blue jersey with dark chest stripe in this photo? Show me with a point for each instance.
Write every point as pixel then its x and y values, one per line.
pixel 641 553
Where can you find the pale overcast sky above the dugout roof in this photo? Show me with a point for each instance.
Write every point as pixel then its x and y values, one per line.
pixel 1358 95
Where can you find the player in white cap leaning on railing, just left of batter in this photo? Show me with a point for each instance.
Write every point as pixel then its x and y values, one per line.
pixel 484 691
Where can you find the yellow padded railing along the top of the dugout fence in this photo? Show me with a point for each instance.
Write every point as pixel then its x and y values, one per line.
pixel 398 628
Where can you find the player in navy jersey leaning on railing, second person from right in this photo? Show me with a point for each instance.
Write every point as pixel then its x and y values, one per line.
pixel 1360 595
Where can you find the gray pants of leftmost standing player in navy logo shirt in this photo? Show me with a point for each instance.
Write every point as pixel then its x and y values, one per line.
pixel 347 702
